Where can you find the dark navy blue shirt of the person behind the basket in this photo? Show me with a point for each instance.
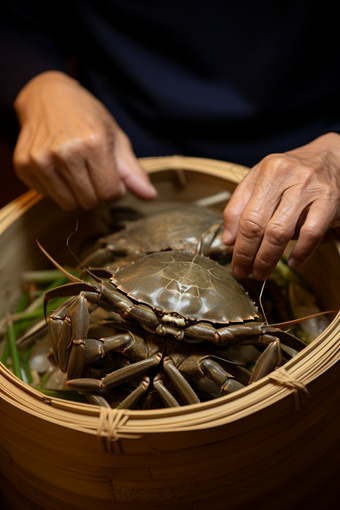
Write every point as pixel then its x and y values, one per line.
pixel 231 81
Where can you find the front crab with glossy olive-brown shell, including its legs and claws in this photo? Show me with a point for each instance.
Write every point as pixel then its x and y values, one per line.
pixel 180 296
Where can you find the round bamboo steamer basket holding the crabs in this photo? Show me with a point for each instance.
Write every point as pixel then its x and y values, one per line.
pixel 269 446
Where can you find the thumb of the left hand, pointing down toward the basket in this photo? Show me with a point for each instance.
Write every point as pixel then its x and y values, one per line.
pixel 130 171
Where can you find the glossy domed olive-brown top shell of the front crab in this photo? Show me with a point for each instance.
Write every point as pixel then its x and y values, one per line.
pixel 185 288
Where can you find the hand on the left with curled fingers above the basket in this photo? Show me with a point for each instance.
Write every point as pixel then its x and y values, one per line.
pixel 70 148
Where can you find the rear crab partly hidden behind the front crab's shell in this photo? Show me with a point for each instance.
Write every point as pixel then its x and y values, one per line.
pixel 178 229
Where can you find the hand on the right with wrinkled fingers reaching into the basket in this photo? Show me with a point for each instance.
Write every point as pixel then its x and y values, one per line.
pixel 294 195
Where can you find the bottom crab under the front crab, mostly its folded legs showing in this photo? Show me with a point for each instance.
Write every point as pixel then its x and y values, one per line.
pixel 174 364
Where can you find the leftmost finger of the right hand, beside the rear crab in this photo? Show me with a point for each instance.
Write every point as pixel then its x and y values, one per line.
pixel 233 211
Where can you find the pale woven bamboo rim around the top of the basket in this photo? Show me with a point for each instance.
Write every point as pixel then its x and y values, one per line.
pixel 291 381
